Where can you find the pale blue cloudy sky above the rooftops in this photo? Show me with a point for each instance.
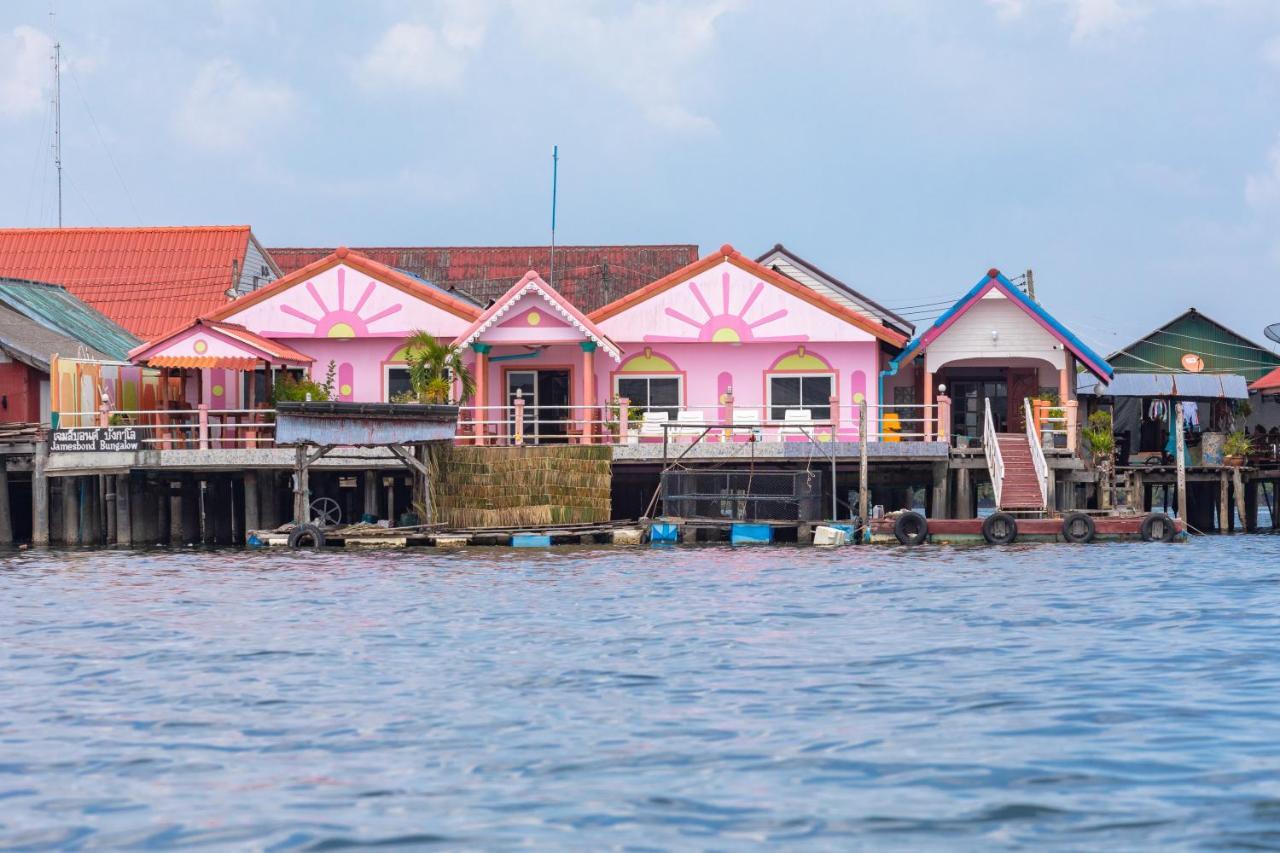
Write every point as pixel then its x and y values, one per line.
pixel 1128 152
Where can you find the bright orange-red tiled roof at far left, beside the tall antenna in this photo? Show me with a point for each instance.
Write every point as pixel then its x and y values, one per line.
pixel 149 281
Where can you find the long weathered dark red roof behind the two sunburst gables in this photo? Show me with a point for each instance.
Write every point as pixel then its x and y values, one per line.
pixel 588 276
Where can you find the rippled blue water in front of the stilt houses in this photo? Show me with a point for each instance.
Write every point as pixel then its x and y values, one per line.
pixel 1109 696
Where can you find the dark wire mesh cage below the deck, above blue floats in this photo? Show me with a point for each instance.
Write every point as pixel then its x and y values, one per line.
pixel 743 495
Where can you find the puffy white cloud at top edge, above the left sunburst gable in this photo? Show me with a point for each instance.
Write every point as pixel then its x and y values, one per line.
pixel 427 56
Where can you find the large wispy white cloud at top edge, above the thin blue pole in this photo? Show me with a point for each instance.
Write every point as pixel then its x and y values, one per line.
pixel 651 53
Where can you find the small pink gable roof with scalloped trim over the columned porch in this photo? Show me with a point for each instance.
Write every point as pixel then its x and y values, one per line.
pixel 547 317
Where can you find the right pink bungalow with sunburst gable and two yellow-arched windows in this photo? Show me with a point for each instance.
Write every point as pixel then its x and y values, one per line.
pixel 728 340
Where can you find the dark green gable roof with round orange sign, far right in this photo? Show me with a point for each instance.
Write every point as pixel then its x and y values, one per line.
pixel 1219 348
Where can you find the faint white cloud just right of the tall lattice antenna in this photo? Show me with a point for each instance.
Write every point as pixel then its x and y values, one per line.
pixel 225 111
